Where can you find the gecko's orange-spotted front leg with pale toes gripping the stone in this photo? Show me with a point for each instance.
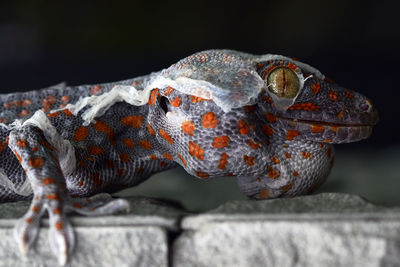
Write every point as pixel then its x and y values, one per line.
pixel 40 162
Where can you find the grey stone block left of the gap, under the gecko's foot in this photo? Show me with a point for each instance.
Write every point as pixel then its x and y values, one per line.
pixel 139 238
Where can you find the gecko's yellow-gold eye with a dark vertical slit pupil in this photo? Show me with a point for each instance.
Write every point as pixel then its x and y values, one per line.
pixel 283 82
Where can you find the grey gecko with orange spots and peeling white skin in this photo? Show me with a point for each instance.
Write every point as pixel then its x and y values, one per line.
pixel 269 121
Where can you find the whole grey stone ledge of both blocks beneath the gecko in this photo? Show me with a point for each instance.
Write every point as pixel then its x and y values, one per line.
pixel 329 229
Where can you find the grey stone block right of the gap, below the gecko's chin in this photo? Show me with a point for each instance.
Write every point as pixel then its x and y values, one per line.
pixel 321 230
